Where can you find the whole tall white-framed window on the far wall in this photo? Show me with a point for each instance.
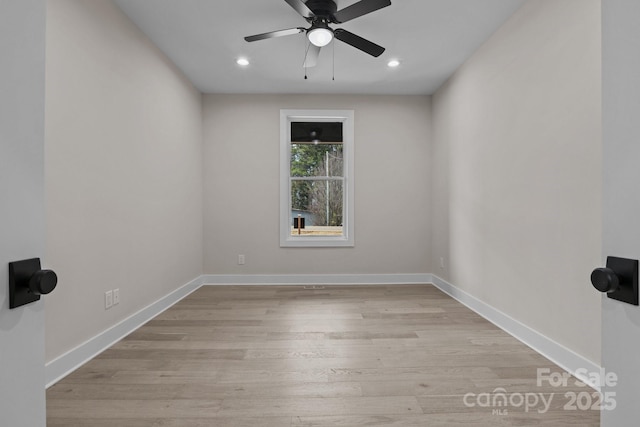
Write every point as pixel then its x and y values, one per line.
pixel 316 178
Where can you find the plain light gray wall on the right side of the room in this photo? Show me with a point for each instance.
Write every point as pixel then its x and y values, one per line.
pixel 517 166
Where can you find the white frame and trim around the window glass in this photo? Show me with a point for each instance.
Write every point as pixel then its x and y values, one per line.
pixel 346 117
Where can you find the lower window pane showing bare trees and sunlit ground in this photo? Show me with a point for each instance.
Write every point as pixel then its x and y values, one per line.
pixel 319 203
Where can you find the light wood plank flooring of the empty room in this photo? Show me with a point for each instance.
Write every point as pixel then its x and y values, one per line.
pixel 285 356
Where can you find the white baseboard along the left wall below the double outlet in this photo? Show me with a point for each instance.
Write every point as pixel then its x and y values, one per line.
pixel 63 365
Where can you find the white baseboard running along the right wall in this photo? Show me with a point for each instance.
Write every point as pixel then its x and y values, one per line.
pixel 557 353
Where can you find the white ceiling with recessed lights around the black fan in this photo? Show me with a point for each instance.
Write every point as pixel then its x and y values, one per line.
pixel 431 39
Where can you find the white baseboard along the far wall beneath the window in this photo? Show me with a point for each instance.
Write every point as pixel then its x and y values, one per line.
pixel 316 279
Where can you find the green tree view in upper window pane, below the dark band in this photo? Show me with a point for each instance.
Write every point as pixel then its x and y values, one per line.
pixel 316 160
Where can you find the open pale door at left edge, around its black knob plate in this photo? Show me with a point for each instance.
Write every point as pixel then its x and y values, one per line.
pixel 22 47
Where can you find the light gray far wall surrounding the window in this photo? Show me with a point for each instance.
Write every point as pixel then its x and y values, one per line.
pixel 241 161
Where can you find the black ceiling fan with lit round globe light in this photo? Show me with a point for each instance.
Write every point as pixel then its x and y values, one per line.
pixel 321 13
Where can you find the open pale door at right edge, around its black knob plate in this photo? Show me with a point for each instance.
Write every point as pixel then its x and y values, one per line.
pixel 621 235
